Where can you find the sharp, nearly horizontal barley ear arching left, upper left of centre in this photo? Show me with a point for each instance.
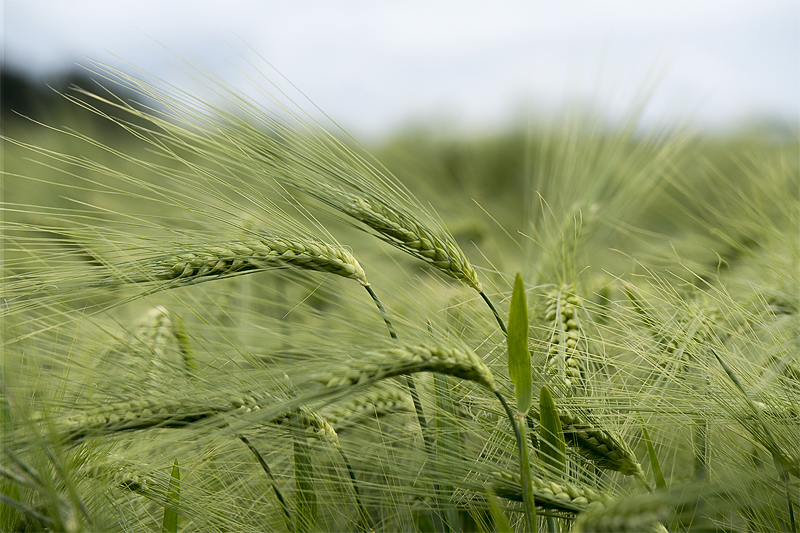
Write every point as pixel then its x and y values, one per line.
pixel 267 252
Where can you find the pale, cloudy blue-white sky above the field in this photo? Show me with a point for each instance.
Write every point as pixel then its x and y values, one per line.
pixel 379 66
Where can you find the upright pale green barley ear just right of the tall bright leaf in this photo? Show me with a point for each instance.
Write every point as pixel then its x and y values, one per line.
pixel 565 339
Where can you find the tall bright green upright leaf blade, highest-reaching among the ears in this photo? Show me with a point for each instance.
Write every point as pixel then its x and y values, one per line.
pixel 519 358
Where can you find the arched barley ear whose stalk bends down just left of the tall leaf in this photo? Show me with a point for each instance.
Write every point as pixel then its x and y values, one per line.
pixel 376 366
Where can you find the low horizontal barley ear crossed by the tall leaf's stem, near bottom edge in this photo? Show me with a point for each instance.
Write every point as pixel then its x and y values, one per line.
pixel 562 496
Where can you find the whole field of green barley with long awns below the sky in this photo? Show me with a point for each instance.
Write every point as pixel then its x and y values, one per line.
pixel 222 314
